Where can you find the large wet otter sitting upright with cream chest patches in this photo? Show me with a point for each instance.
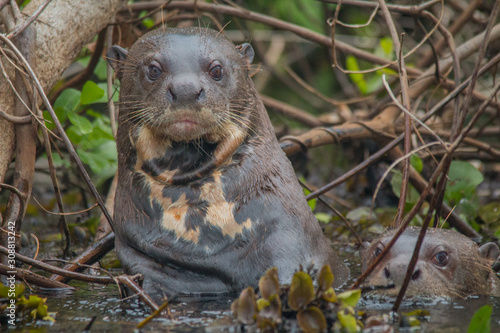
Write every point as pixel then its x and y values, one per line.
pixel 206 200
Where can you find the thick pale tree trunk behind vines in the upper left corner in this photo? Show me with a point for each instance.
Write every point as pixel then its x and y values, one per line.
pixel 62 29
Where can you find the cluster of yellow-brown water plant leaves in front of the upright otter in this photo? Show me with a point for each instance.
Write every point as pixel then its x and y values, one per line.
pixel 315 309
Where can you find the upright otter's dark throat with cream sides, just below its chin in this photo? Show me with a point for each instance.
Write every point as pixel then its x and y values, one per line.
pixel 179 163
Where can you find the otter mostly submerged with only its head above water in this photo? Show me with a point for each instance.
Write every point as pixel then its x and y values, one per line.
pixel 449 264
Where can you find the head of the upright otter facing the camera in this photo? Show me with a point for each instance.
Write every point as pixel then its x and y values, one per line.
pixel 184 84
